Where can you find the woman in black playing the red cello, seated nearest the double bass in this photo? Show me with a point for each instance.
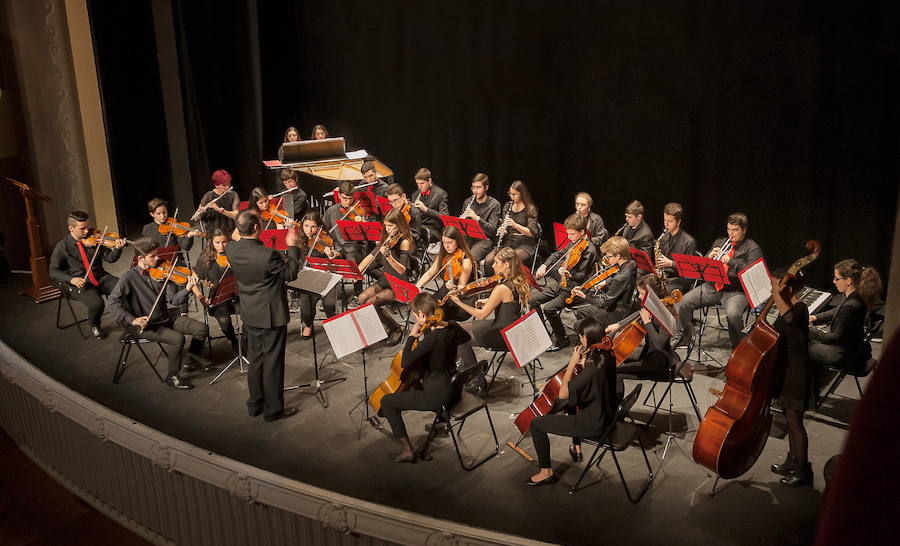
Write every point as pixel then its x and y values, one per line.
pixel 592 391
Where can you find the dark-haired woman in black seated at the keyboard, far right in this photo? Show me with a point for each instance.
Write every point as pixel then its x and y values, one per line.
pixel 840 345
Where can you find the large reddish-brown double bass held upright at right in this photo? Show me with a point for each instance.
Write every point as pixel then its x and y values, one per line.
pixel 734 431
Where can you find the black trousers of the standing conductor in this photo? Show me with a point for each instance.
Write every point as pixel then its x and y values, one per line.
pixel 265 378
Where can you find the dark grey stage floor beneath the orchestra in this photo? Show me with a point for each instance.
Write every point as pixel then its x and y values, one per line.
pixel 336 449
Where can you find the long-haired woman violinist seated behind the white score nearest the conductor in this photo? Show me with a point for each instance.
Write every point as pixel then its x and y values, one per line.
pixel 391 255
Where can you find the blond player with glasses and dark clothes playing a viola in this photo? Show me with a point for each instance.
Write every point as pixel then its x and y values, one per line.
pixel 614 299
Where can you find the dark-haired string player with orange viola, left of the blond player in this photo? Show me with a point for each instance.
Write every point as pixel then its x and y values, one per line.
pixel 572 264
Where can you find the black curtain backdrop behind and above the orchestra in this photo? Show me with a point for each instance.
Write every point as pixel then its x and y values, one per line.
pixel 788 113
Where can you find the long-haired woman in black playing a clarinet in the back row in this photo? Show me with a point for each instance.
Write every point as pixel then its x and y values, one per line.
pixel 519 226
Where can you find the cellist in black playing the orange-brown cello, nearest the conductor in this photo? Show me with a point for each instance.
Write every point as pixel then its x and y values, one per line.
pixel 435 356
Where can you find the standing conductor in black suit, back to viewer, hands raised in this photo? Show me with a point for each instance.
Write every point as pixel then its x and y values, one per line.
pixel 261 274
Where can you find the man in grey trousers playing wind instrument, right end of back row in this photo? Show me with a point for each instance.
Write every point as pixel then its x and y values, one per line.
pixel 742 251
